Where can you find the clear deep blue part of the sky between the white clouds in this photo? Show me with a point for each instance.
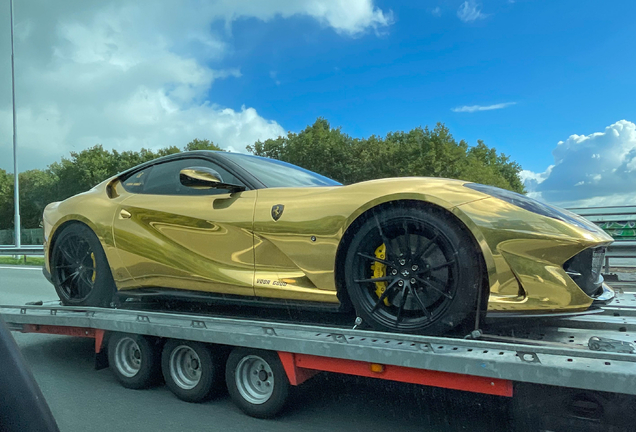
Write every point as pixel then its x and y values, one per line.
pixel 565 64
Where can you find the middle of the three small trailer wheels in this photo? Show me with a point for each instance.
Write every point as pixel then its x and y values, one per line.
pixel 191 370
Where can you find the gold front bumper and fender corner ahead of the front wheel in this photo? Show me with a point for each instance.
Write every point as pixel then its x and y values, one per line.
pixel 527 252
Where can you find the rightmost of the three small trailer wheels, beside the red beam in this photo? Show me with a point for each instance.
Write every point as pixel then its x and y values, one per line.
pixel 257 382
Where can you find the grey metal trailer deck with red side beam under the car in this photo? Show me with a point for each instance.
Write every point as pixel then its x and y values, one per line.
pixel 555 352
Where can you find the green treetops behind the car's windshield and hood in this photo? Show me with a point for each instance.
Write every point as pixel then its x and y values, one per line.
pixel 418 152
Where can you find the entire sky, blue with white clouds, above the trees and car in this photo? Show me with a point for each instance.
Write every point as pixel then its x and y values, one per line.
pixel 131 74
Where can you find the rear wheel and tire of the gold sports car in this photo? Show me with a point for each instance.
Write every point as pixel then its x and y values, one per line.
pixel 79 268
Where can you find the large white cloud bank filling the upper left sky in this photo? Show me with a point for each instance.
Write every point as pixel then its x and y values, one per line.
pixel 128 74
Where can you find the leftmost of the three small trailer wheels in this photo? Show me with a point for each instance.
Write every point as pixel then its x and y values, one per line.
pixel 134 359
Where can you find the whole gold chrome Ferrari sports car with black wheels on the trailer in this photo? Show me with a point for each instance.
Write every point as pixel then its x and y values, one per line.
pixel 419 255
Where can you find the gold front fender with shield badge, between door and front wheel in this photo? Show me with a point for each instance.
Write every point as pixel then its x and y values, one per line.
pixel 283 247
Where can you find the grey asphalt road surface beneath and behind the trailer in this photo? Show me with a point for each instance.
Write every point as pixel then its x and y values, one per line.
pixel 83 399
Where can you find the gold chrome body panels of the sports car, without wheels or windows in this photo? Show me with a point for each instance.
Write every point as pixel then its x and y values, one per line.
pixel 230 243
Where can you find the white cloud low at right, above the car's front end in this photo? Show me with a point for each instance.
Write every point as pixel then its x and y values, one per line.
pixel 597 169
